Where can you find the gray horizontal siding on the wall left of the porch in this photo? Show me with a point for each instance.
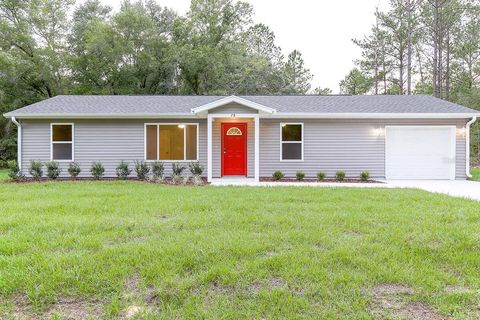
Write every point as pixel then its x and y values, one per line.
pixel 107 141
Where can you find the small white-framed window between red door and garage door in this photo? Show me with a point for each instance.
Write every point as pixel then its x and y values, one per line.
pixel 291 145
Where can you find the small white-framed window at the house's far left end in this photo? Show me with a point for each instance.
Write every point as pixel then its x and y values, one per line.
pixel 61 141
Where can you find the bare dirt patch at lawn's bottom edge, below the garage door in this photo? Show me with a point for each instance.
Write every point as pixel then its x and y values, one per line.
pixel 393 300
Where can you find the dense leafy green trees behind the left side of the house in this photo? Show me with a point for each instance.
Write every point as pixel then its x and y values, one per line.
pixel 52 47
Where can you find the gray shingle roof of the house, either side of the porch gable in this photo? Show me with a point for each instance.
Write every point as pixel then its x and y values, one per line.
pixel 181 105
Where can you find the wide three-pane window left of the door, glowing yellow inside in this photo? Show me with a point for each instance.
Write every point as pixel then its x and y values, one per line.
pixel 175 142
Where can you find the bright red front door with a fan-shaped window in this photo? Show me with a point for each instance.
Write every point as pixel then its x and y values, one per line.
pixel 234 149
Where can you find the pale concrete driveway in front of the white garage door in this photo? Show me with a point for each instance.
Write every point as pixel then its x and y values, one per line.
pixel 456 188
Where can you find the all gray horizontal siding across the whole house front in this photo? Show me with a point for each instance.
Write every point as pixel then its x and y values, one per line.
pixel 329 145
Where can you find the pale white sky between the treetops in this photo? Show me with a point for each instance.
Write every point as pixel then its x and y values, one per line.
pixel 322 30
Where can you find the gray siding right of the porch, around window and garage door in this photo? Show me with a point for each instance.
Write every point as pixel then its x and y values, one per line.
pixel 332 145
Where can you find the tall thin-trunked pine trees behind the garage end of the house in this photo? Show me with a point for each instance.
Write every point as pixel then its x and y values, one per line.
pixel 422 47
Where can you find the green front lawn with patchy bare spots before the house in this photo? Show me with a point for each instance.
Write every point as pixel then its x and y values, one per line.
pixel 123 249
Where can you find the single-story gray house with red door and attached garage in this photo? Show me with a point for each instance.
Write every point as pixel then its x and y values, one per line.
pixel 393 137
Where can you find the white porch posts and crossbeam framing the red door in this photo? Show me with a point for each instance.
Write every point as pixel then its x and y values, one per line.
pixel 210 118
